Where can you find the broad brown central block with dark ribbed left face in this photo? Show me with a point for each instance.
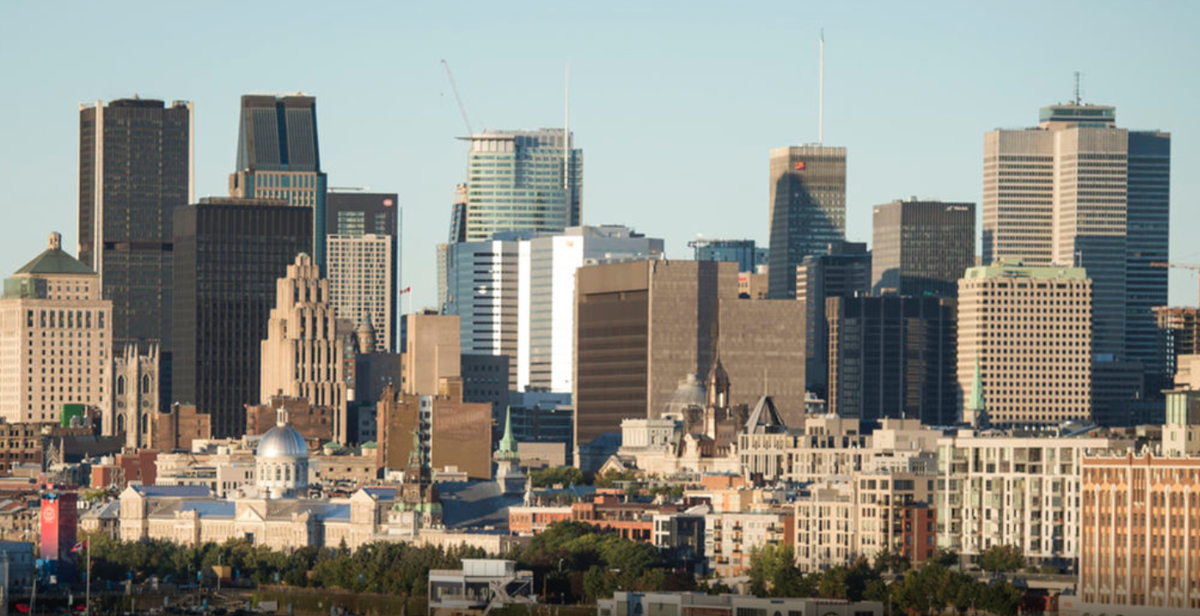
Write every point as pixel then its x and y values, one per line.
pixel 640 328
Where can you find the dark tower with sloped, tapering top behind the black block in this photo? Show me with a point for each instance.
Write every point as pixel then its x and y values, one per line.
pixel 279 159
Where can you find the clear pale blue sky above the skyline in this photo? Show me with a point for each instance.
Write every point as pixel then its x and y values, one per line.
pixel 676 105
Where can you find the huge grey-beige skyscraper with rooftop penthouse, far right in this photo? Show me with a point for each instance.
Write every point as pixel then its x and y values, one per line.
pixel 1077 190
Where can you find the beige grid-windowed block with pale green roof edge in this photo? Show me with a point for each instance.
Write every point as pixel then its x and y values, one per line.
pixel 1029 330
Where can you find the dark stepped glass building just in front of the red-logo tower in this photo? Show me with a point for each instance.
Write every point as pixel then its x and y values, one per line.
pixel 843 272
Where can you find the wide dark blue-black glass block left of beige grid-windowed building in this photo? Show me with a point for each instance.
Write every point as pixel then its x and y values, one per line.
pixel 893 357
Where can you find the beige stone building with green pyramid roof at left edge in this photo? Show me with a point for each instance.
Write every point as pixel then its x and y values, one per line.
pixel 56 339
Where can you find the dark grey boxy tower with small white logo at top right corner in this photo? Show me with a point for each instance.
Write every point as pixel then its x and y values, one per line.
pixel 922 248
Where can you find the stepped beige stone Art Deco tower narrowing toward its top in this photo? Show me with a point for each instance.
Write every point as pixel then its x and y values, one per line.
pixel 302 355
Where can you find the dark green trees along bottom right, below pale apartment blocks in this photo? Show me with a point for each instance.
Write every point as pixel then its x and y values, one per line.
pixel 931 589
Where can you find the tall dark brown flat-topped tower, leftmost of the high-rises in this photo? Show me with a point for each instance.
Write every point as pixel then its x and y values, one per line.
pixel 135 168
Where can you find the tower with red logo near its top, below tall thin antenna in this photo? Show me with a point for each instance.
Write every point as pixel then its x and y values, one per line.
pixel 808 210
